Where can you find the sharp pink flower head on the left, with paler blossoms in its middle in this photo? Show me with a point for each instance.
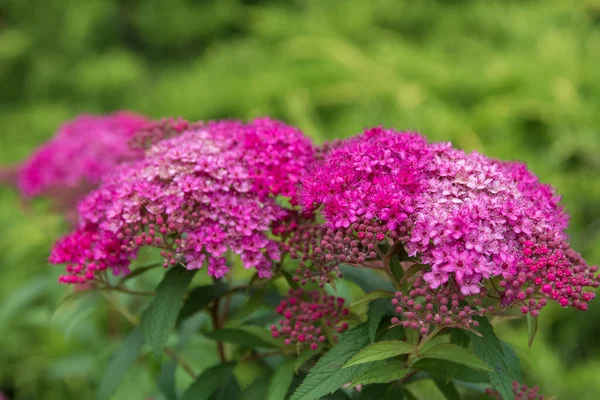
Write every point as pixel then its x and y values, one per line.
pixel 196 196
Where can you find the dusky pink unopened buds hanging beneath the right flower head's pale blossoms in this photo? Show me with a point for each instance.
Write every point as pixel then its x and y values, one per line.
pixel 423 307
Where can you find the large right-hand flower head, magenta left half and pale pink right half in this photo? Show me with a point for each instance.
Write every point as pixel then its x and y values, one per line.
pixel 468 217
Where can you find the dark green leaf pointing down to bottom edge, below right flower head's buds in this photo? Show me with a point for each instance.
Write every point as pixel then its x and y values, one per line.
pixel 489 348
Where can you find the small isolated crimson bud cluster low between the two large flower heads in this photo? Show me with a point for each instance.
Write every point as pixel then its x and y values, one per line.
pixel 309 317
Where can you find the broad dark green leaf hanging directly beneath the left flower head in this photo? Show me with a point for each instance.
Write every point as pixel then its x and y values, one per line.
pixel 161 314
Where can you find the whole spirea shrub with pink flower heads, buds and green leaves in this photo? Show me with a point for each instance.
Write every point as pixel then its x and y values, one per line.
pixel 375 262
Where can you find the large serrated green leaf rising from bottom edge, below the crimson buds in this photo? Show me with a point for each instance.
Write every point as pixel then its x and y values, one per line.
pixel 328 375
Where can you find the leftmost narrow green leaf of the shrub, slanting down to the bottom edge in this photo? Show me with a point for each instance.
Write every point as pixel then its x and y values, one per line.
pixel 122 359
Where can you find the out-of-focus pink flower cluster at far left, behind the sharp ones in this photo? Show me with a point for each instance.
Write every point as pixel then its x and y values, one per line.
pixel 80 154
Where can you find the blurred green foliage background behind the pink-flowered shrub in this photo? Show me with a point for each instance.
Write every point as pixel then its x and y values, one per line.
pixel 514 79
